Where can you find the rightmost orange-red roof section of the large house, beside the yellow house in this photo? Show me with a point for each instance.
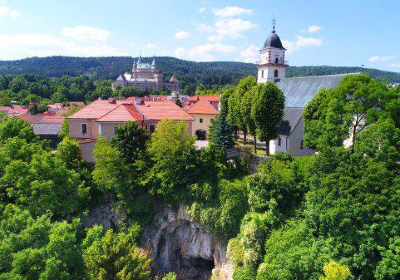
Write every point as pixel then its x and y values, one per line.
pixel 159 110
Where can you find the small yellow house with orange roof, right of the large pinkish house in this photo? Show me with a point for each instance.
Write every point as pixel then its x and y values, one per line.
pixel 204 114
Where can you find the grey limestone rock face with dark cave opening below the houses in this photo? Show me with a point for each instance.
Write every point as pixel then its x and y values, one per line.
pixel 181 245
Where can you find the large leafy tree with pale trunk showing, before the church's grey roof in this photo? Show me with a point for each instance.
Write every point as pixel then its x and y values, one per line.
pixel 344 112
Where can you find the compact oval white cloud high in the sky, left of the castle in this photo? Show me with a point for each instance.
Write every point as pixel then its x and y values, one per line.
pixel 86 33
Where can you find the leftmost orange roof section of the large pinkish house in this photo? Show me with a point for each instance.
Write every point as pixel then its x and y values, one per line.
pixel 96 109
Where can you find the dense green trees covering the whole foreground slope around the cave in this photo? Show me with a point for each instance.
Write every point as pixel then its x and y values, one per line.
pixel 330 216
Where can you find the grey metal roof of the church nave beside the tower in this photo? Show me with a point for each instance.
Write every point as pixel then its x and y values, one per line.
pixel 300 90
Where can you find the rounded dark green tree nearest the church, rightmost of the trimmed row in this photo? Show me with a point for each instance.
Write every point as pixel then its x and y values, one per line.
pixel 267 111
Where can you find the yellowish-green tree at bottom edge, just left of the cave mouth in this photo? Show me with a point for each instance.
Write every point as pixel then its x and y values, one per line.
pixel 114 256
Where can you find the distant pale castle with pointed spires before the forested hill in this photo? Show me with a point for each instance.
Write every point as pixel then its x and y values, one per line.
pixel 145 76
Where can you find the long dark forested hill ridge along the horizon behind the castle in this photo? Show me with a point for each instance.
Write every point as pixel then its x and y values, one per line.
pixel 207 73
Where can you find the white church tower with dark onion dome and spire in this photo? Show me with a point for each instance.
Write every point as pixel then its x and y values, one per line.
pixel 272 64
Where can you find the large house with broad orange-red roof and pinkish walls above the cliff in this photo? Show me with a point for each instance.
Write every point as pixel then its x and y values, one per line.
pixel 102 117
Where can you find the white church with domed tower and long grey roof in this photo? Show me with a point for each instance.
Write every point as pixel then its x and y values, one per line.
pixel 298 92
